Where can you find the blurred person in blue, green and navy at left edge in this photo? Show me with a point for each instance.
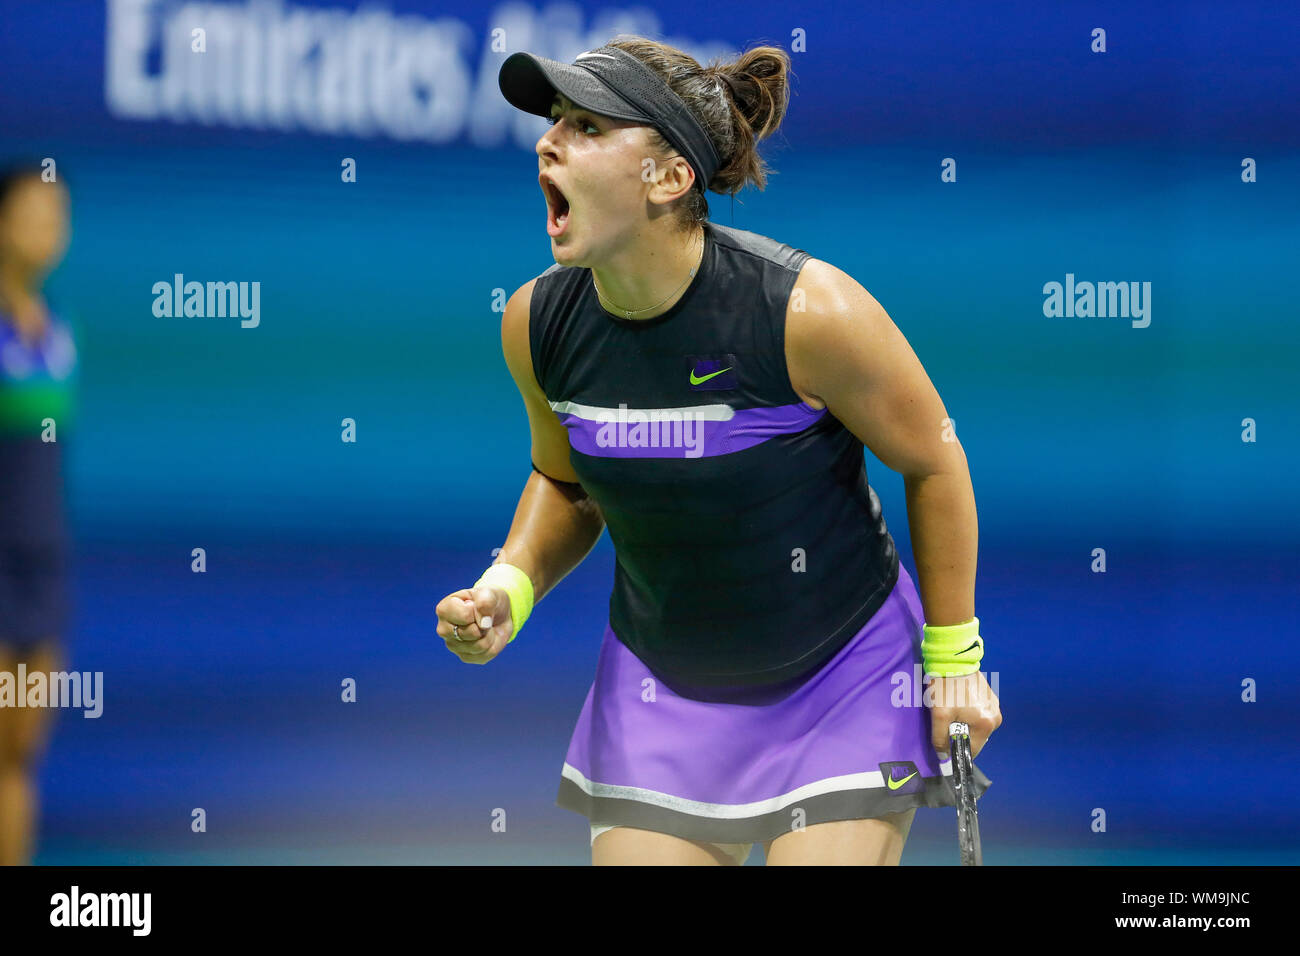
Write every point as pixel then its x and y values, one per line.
pixel 37 364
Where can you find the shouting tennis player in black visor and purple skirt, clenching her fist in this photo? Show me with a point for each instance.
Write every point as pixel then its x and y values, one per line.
pixel 705 393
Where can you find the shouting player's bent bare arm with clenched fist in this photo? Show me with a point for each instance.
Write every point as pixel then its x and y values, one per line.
pixel 556 526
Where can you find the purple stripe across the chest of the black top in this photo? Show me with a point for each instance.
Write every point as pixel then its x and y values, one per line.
pixel 636 434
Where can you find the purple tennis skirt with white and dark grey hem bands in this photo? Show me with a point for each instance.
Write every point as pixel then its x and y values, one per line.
pixel 839 746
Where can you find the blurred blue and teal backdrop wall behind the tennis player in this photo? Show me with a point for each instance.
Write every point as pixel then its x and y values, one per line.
pixel 326 560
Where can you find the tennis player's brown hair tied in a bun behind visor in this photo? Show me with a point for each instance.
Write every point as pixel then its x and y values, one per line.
pixel 738 103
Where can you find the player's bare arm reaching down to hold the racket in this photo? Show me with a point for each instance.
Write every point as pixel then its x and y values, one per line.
pixel 843 349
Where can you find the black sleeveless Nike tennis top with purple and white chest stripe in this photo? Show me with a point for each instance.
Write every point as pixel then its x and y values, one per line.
pixel 749 546
